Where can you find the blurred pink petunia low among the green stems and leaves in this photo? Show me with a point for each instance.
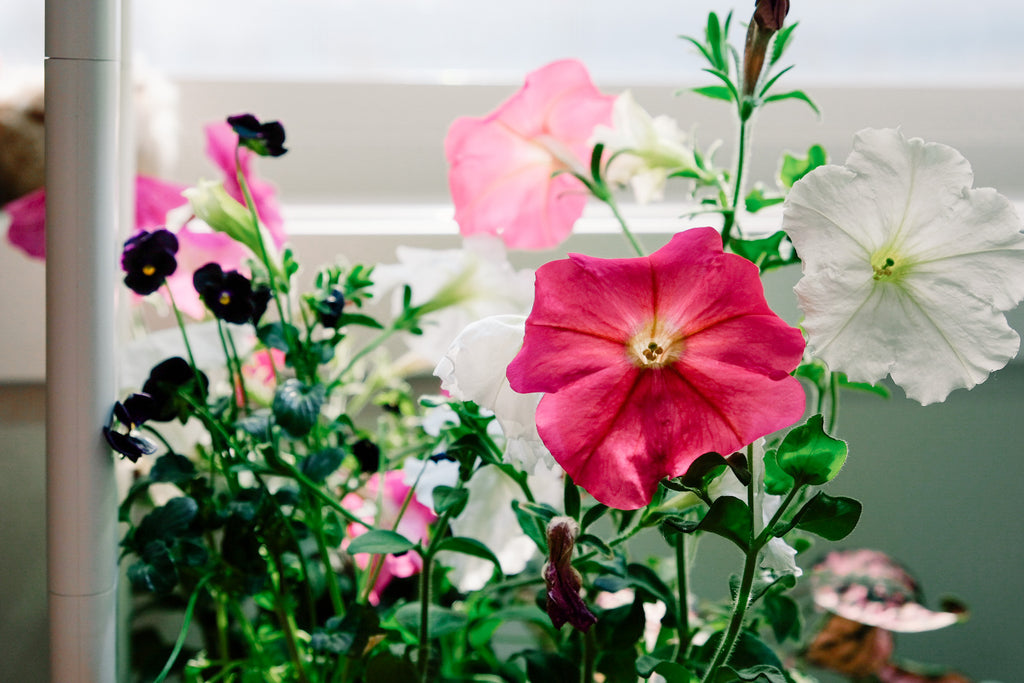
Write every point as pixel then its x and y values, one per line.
pixel 381 509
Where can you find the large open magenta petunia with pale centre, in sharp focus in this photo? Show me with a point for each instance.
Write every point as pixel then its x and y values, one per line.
pixel 650 363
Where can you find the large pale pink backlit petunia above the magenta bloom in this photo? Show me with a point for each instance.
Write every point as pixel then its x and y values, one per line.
pixel 503 166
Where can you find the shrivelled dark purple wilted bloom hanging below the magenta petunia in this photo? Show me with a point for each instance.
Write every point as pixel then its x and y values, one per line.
pixel 564 582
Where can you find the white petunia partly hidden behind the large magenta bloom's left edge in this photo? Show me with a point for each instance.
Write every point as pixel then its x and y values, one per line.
pixel 474 369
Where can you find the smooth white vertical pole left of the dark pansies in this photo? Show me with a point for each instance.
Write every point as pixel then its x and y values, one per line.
pixel 82 75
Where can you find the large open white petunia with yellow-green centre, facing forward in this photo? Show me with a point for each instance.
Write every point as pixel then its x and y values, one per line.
pixel 908 271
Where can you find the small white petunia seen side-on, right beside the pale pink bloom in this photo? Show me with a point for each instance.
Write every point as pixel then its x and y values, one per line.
pixel 652 149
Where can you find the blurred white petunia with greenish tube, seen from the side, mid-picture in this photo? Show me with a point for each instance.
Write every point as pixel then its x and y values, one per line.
pixel 458 286
